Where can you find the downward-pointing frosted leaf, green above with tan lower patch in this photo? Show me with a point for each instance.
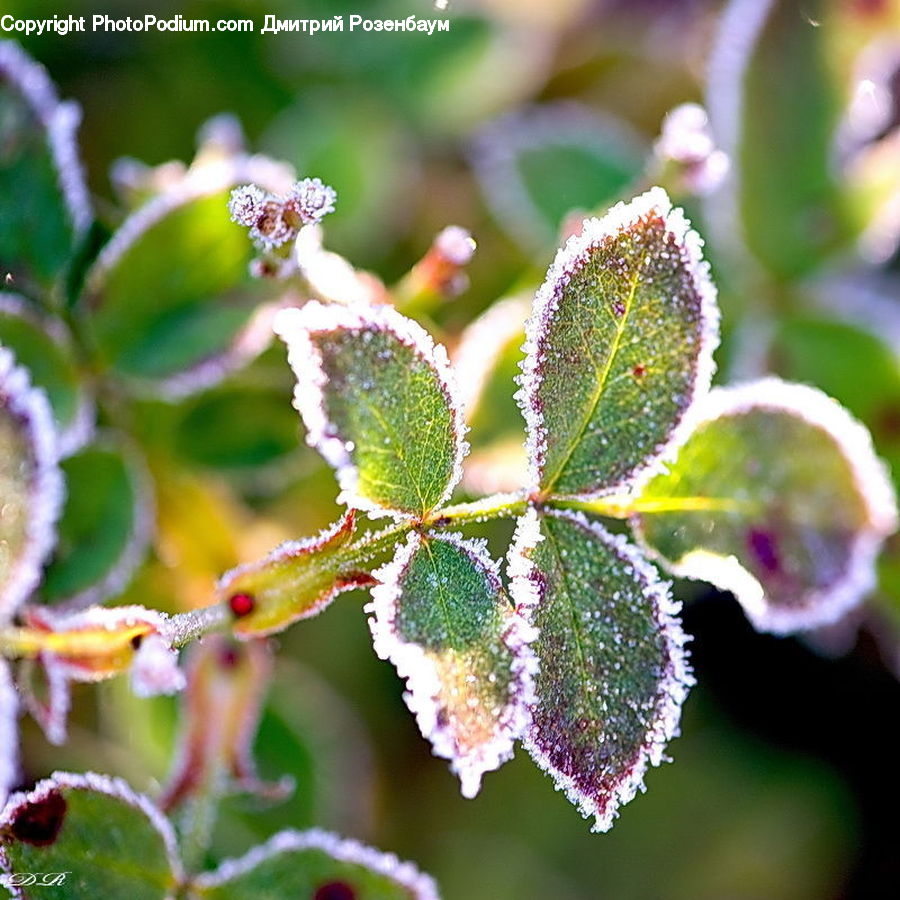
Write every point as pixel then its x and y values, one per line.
pixel 441 616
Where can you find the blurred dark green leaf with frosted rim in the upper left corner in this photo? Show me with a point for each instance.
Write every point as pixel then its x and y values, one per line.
pixel 45 207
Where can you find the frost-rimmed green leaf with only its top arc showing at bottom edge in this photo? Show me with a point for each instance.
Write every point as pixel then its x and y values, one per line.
pixel 314 864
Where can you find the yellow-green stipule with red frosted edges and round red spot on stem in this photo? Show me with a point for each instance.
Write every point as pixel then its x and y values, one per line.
pixel 295 581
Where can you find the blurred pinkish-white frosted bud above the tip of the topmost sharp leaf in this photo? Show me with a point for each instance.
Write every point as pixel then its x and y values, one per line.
pixel 686 142
